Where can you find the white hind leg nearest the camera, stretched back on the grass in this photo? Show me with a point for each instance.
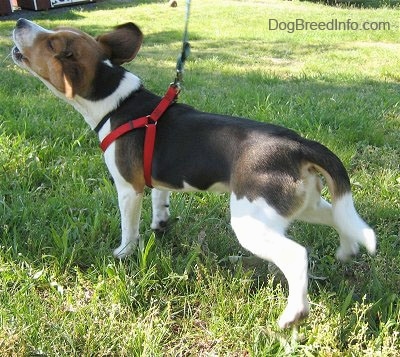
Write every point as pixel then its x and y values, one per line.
pixel 261 230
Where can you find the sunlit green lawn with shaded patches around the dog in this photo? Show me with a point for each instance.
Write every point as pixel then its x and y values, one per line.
pixel 61 292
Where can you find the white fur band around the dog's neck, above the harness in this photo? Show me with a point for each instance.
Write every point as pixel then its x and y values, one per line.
pixel 94 111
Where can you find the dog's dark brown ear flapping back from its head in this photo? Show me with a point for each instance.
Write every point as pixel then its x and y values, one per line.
pixel 122 44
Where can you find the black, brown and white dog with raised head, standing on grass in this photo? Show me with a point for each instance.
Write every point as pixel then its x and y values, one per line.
pixel 273 175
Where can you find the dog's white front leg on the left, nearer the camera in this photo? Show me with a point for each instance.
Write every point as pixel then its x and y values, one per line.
pixel 130 205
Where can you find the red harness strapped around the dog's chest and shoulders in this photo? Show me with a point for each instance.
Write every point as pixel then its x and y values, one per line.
pixel 149 122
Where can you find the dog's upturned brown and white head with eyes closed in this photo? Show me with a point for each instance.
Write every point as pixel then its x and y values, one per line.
pixel 66 59
